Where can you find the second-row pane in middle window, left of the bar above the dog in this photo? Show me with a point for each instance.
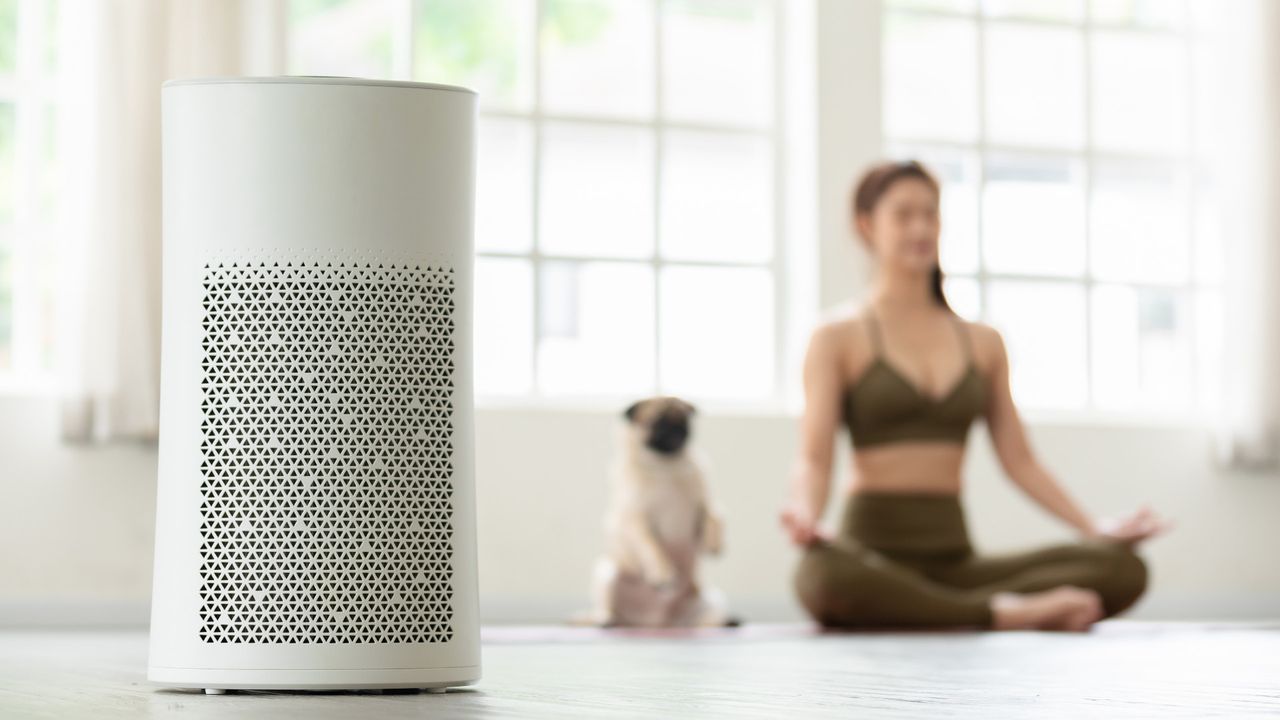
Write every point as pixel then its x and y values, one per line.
pixel 597 192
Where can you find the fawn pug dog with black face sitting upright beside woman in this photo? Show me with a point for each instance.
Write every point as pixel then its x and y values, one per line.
pixel 660 522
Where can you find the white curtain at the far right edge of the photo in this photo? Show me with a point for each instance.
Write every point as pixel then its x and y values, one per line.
pixel 1245 107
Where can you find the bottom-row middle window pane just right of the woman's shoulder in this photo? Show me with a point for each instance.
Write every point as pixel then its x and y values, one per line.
pixel 1044 329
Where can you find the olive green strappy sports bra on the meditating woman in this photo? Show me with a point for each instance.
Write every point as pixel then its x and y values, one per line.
pixel 884 407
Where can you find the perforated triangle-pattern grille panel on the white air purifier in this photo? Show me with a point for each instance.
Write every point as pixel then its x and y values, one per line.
pixel 327 453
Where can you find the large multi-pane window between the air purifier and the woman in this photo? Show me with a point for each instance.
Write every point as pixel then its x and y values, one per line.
pixel 627 215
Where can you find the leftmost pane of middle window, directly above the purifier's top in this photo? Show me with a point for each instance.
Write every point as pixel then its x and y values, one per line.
pixel 341 38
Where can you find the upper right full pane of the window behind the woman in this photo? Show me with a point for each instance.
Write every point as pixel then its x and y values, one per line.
pixel 1140 93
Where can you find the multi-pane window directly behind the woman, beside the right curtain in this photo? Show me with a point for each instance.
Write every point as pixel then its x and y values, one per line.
pixel 1076 217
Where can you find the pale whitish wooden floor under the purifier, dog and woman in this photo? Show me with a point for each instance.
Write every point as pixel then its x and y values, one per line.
pixel 1121 669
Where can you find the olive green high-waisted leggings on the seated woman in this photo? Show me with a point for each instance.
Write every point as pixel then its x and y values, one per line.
pixel 904 560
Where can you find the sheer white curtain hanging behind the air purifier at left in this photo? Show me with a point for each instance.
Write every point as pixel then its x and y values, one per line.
pixel 116 54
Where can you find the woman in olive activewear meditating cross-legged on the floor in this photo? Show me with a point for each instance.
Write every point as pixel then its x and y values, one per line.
pixel 909 376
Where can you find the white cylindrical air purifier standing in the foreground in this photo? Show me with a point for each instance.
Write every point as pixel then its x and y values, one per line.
pixel 316 518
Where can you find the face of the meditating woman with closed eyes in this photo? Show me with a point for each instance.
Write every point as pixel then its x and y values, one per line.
pixel 903 227
